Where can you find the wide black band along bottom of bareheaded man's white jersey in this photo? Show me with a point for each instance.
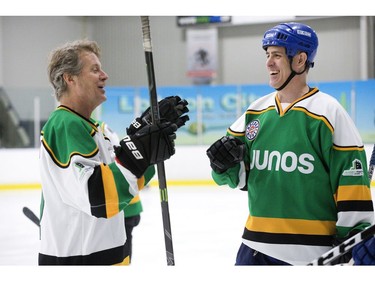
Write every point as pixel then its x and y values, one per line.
pixel 105 257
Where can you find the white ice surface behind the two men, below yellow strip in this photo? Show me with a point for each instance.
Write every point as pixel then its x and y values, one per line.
pixel 206 222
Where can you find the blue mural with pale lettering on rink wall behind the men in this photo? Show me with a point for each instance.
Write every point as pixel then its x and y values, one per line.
pixel 213 108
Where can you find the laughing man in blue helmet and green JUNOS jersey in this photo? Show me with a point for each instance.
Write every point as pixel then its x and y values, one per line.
pixel 301 160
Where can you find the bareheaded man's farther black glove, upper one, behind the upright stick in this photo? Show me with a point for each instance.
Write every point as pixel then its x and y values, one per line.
pixel 171 109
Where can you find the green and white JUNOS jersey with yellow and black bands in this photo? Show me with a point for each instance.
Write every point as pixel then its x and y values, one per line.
pixel 306 174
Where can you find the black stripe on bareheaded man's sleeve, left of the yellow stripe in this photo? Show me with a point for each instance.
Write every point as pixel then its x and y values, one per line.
pixel 96 194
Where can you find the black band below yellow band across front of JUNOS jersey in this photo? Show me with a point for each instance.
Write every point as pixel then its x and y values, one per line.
pixel 283 238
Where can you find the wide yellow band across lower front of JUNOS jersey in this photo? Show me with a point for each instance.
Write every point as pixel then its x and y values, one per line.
pixel 290 226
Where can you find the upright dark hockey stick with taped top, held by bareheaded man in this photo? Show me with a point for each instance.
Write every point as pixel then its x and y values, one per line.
pixel 155 120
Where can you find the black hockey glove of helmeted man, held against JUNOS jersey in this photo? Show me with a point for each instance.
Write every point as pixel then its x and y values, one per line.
pixel 225 153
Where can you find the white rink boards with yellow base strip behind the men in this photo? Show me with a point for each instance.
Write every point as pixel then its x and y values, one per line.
pixel 189 166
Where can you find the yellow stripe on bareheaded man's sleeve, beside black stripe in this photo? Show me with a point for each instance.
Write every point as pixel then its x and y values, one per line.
pixel 110 191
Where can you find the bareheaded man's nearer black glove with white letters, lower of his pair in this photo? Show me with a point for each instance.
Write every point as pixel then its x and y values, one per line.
pixel 150 145
